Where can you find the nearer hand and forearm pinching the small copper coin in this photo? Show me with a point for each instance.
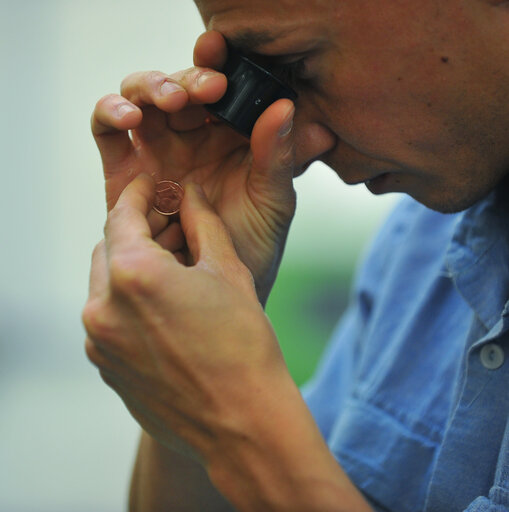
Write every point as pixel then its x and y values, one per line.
pixel 198 362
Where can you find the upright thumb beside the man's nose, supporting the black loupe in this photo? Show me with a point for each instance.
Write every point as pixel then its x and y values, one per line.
pixel 273 148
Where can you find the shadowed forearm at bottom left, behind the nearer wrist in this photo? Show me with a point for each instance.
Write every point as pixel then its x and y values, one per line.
pixel 165 480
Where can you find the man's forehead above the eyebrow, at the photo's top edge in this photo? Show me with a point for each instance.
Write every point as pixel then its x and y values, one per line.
pixel 263 22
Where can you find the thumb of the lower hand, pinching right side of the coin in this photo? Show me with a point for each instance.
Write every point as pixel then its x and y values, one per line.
pixel 206 235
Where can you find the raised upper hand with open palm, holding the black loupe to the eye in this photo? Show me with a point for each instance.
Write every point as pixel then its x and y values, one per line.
pixel 249 183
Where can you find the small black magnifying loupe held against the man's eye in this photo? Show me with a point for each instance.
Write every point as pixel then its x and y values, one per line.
pixel 251 89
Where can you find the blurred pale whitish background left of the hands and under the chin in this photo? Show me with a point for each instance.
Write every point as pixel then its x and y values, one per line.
pixel 66 442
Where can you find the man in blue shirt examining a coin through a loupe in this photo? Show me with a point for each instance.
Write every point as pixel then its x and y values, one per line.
pixel 410 406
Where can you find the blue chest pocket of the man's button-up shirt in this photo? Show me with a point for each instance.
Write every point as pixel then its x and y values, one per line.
pixel 387 461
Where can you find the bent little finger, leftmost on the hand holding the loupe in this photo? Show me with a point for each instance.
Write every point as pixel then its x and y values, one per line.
pixel 113 116
